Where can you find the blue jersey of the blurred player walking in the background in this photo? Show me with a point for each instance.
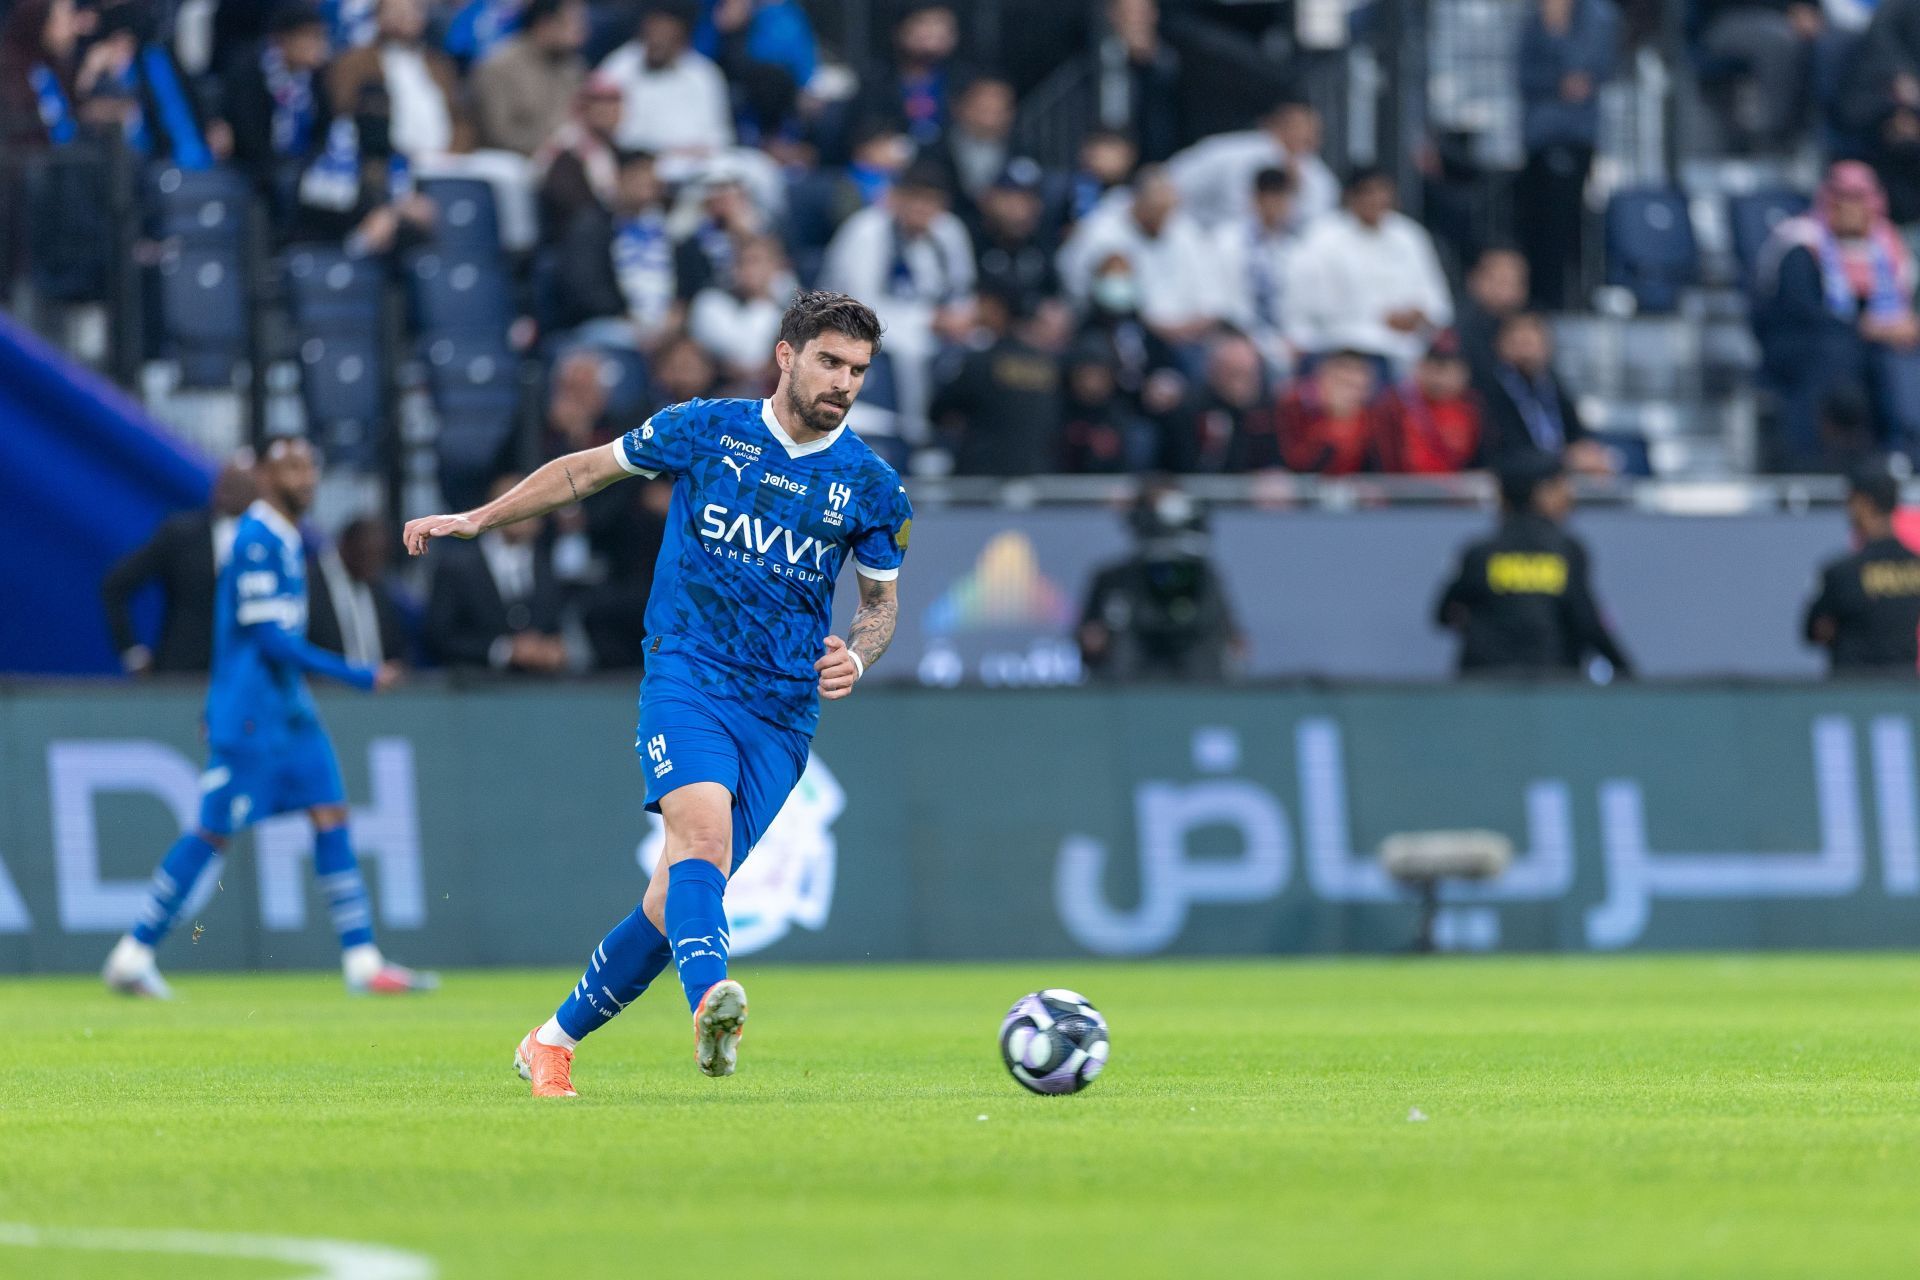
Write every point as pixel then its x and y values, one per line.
pixel 260 640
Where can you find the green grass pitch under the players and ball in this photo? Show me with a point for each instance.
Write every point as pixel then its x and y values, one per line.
pixel 1585 1118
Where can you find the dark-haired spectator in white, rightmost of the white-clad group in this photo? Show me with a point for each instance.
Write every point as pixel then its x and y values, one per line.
pixel 1368 279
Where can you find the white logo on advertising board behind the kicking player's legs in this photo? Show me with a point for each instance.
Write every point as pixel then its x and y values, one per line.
pixel 790 878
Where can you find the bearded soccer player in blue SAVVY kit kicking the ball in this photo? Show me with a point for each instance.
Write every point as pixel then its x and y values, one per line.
pixel 771 498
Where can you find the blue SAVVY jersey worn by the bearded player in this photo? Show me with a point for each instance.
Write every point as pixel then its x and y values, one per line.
pixel 757 533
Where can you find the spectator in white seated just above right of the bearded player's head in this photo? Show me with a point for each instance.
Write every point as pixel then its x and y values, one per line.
pixel 913 262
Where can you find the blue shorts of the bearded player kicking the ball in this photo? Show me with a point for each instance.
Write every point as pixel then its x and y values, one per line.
pixel 688 736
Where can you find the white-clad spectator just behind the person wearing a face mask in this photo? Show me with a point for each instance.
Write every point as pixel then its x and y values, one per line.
pixel 1182 295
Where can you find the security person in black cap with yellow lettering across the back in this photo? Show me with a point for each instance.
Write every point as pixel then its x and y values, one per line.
pixel 1524 602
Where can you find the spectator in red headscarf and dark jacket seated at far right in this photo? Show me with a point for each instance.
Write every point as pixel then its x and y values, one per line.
pixel 1835 314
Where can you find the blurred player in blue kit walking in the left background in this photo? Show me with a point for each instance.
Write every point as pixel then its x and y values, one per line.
pixel 270 753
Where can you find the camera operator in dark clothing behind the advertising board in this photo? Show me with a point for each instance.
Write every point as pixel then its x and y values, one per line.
pixel 1161 613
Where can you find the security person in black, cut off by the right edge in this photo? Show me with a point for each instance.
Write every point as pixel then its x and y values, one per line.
pixel 1867 615
